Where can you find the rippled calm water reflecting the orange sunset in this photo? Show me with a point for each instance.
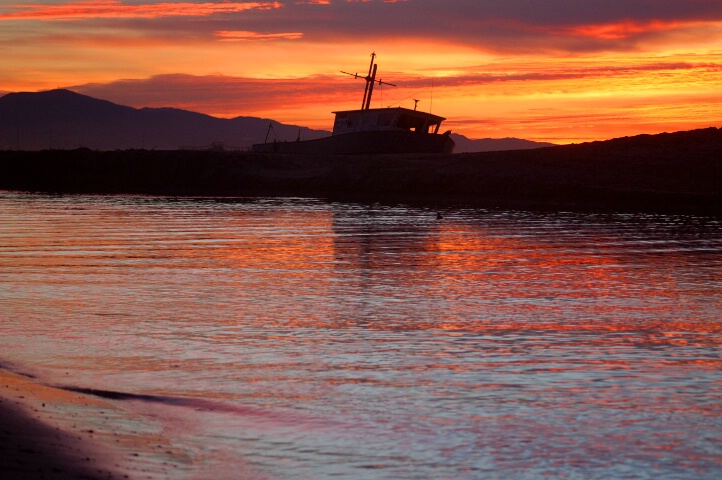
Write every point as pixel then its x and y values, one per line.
pixel 316 340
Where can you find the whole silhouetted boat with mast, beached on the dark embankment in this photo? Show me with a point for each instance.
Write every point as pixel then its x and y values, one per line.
pixel 373 130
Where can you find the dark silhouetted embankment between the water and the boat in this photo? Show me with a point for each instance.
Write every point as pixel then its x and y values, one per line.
pixel 678 172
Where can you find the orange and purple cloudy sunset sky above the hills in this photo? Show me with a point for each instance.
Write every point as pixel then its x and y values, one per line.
pixel 548 70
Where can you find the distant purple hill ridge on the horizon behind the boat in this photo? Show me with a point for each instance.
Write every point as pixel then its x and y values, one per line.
pixel 62 119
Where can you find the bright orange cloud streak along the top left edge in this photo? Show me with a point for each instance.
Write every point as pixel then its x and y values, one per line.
pixel 116 9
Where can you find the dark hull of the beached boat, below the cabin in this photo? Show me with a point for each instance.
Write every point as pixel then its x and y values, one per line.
pixel 369 142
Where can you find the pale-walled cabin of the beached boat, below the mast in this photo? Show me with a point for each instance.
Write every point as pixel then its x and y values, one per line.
pixel 386 119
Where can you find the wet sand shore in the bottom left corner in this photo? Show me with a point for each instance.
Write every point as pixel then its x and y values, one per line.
pixel 51 433
